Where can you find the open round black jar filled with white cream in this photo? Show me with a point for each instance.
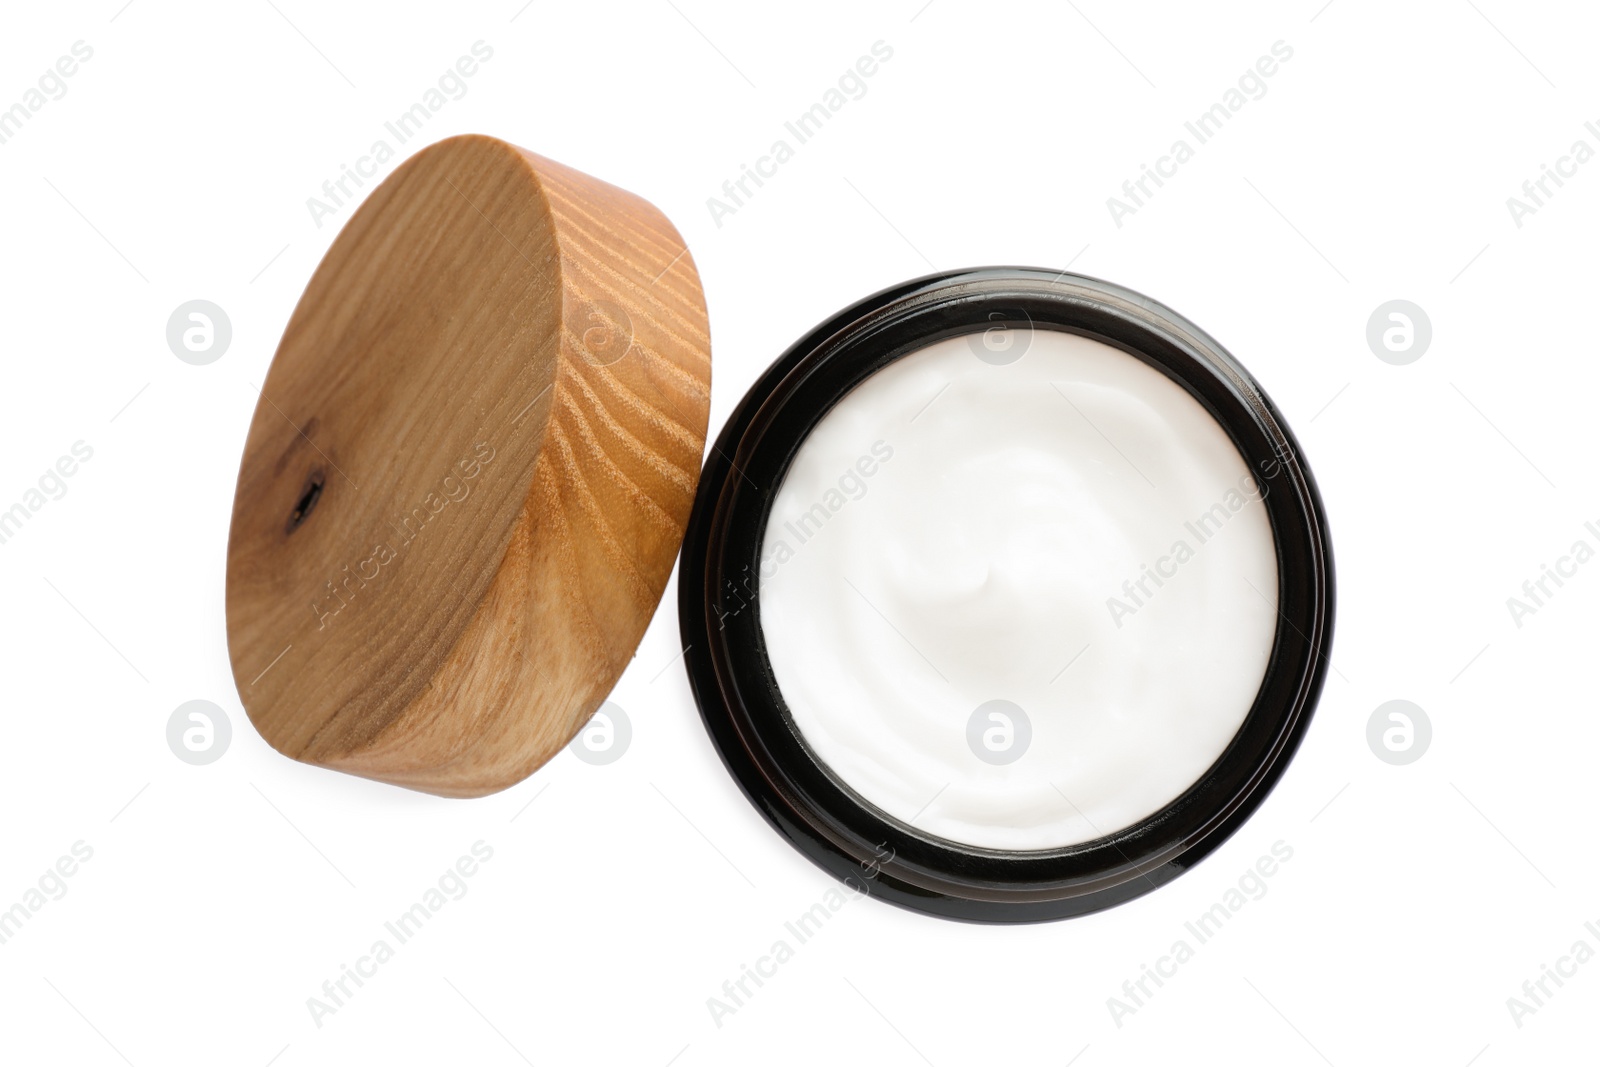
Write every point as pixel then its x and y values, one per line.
pixel 1007 594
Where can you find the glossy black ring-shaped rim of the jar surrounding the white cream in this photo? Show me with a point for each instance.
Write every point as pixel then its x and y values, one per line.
pixel 738 695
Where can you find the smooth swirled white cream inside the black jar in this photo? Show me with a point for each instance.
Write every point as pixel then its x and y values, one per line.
pixel 958 532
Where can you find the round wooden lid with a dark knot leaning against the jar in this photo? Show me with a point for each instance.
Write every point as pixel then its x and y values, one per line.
pixel 470 473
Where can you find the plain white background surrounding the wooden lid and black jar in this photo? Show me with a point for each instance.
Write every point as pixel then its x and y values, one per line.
pixel 620 898
